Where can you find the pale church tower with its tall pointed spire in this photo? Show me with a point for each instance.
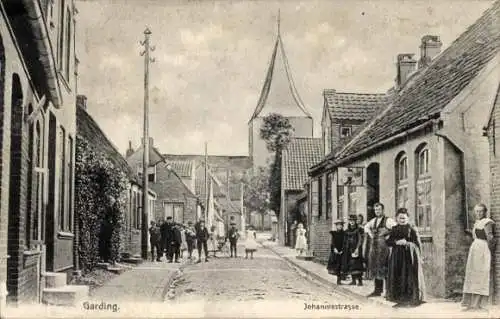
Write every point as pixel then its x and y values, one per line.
pixel 278 95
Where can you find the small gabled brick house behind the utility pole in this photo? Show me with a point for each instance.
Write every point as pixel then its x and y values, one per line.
pixel 171 182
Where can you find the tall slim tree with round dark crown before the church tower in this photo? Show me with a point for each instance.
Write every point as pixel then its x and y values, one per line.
pixel 276 131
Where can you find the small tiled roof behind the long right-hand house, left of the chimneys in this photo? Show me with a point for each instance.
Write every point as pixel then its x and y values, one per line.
pixel 353 106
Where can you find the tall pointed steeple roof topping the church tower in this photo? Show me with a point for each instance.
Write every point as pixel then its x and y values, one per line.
pixel 278 94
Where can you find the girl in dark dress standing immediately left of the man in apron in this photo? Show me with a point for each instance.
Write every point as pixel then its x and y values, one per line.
pixel 353 248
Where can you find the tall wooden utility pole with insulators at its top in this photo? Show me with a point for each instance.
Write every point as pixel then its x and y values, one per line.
pixel 145 159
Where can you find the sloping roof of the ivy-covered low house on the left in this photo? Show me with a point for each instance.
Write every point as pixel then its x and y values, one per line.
pixel 88 129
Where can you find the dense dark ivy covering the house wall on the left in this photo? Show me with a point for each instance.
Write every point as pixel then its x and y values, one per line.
pixel 100 199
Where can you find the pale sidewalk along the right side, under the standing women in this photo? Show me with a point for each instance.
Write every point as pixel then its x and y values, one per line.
pixel 432 307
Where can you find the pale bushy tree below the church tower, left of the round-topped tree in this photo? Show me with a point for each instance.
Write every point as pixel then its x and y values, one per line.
pixel 255 197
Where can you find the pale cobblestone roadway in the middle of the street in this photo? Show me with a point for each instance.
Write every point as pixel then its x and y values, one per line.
pixel 266 277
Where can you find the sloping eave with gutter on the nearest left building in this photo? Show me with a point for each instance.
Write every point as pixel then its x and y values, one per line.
pixel 37 22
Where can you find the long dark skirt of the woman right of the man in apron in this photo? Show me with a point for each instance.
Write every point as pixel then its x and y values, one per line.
pixel 405 282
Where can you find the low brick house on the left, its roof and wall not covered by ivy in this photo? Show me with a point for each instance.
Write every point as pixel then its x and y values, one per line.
pixel 88 129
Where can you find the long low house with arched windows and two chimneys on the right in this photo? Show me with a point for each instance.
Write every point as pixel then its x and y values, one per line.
pixel 426 151
